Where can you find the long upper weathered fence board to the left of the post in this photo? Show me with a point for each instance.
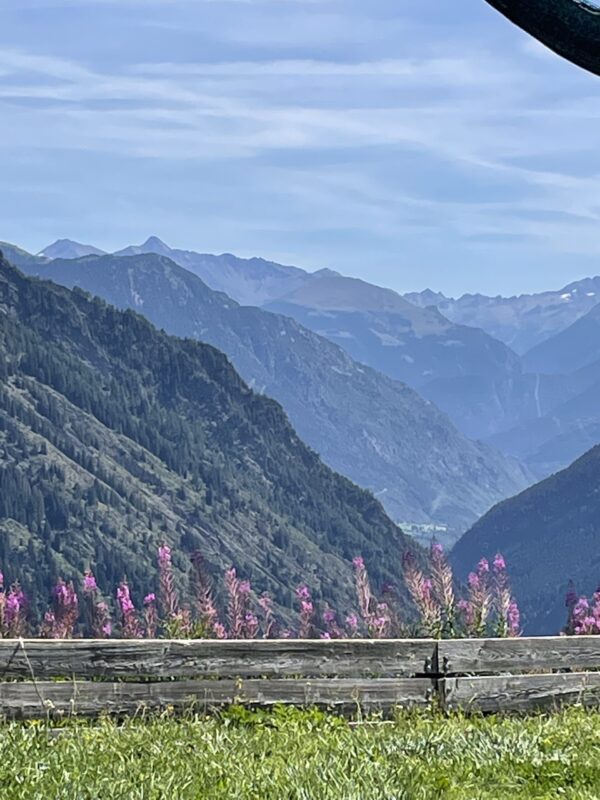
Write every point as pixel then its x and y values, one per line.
pixel 164 658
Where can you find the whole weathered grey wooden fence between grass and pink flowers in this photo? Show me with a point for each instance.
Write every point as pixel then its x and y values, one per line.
pixel 89 677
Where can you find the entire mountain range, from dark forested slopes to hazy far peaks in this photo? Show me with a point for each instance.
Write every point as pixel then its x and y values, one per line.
pixel 338 353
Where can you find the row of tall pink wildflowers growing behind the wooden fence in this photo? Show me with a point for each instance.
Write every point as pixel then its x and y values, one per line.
pixel 488 607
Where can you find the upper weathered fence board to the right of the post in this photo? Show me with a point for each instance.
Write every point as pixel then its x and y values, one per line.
pixel 546 653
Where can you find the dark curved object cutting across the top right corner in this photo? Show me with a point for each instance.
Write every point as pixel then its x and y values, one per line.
pixel 570 28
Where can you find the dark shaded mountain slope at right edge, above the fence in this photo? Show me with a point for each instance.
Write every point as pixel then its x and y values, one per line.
pixel 549 534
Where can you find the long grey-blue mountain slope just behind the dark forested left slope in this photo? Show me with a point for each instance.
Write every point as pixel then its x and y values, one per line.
pixel 365 425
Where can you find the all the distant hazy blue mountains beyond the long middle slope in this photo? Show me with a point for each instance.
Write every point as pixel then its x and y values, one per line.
pixel 488 391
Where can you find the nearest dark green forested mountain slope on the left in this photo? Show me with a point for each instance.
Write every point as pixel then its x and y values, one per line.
pixel 115 437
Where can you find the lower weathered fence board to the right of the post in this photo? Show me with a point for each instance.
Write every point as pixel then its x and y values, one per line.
pixel 521 692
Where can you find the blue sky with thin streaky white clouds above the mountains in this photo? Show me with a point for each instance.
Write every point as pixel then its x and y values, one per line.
pixel 413 144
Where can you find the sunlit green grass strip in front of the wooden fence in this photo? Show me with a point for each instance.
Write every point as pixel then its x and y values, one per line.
pixel 305 756
